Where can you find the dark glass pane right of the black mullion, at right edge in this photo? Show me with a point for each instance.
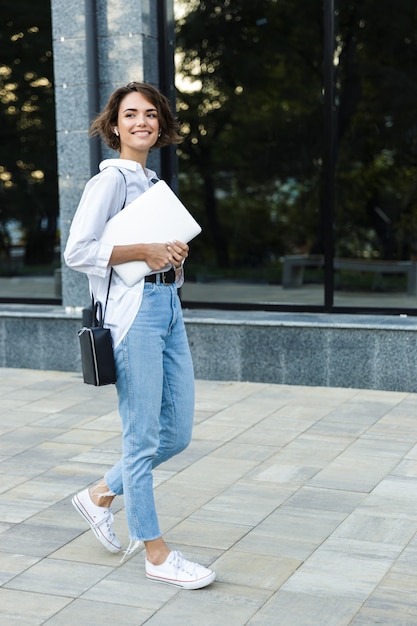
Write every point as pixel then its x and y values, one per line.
pixel 376 194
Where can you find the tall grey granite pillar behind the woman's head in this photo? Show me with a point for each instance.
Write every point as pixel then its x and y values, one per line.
pixel 126 50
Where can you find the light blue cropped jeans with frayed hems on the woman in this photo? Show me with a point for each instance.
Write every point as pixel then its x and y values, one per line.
pixel 155 387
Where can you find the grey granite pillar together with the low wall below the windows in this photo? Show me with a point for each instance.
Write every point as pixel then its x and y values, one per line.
pixel 372 352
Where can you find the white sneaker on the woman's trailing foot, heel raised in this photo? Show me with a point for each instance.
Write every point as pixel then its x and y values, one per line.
pixel 99 518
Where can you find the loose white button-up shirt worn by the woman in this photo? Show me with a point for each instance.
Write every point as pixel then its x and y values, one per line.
pixel 105 195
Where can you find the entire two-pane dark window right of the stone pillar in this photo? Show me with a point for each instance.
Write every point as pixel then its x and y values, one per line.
pixel 250 81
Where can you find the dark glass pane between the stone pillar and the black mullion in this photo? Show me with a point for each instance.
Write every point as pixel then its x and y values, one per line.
pixel 250 96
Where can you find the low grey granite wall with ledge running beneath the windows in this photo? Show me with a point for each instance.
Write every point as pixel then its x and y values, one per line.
pixel 364 352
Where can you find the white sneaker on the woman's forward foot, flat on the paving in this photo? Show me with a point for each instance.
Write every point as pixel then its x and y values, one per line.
pixel 179 572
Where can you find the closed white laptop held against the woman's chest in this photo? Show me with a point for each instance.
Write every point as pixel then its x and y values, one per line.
pixel 157 216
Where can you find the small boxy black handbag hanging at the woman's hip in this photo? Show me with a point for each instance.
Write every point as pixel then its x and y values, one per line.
pixel 97 356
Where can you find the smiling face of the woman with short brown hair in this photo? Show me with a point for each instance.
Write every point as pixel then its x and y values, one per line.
pixel 138 126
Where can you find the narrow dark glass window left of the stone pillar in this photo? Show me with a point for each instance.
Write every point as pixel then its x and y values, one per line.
pixel 29 242
